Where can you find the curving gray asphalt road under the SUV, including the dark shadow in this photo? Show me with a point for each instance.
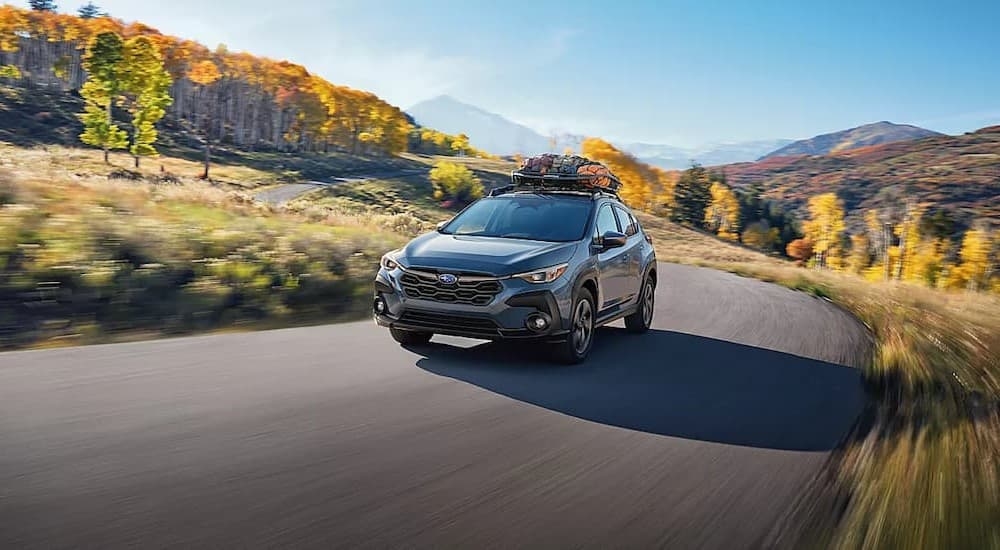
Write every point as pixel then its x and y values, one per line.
pixel 699 434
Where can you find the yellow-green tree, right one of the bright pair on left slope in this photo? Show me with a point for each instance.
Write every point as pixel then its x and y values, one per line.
pixel 146 93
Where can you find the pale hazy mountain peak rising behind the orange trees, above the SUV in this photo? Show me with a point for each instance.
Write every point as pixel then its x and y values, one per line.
pixel 487 131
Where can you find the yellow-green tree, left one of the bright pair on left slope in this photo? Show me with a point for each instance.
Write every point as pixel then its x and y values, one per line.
pixel 104 84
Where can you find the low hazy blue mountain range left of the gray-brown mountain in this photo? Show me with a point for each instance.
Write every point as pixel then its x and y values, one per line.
pixel 679 158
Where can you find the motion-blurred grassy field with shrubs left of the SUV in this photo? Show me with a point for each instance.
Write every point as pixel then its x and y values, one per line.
pixel 87 258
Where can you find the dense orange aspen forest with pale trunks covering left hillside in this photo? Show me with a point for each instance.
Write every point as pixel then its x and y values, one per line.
pixel 235 99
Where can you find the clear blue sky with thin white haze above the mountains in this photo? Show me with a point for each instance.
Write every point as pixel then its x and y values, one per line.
pixel 683 73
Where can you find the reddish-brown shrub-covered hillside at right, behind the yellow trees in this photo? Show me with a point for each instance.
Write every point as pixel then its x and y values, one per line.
pixel 960 174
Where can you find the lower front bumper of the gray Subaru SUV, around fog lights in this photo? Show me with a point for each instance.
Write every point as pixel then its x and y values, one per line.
pixel 505 317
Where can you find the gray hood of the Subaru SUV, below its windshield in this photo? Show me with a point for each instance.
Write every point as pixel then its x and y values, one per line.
pixel 493 255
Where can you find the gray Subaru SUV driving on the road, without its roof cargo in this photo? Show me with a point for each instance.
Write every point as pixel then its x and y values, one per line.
pixel 538 264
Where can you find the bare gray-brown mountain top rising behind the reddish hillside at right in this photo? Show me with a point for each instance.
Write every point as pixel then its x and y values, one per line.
pixel 845 140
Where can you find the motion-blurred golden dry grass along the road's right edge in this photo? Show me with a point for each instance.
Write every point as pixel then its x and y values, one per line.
pixel 923 468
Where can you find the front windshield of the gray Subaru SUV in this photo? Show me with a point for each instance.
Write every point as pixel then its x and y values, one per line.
pixel 534 217
